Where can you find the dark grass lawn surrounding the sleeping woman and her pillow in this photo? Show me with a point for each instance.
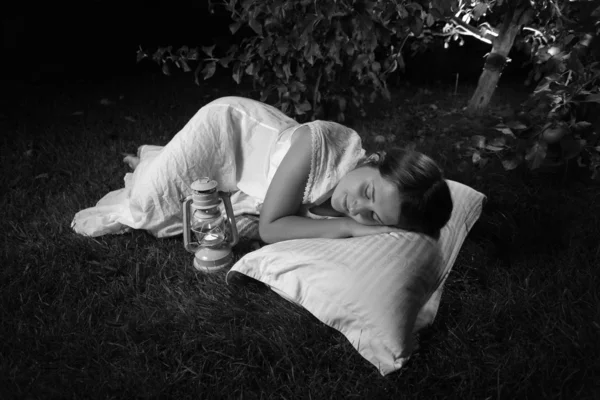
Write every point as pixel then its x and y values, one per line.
pixel 127 317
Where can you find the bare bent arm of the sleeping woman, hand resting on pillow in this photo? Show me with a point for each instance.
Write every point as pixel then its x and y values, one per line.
pixel 278 221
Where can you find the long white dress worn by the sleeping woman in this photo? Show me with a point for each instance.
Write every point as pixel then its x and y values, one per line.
pixel 236 141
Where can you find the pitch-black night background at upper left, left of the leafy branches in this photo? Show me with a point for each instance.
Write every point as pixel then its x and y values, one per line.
pixel 65 41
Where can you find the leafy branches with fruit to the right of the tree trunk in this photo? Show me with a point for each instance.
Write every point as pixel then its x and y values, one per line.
pixel 556 123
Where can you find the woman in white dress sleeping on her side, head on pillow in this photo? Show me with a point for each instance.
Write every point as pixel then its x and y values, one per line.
pixel 309 180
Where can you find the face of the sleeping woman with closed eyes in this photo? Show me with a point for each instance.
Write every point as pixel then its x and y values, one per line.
pixel 365 196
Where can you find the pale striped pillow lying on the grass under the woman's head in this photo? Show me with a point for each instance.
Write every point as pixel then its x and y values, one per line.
pixel 376 290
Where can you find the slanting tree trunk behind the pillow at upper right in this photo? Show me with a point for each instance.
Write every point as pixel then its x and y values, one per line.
pixel 496 60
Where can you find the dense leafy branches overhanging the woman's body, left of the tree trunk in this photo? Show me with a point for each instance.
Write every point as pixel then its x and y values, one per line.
pixel 314 59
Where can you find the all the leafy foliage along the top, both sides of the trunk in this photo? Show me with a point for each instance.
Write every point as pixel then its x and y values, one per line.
pixel 327 59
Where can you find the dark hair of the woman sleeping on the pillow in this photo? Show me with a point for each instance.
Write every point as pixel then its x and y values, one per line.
pixel 425 200
